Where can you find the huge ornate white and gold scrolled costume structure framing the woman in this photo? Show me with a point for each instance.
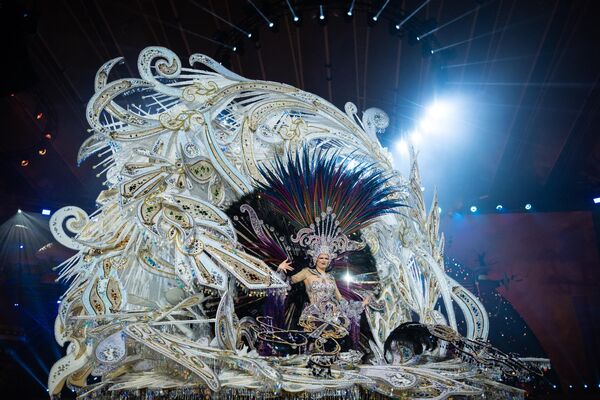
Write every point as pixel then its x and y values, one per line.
pixel 180 144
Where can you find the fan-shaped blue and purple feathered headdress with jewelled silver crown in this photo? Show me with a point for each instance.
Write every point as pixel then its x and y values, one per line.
pixel 327 198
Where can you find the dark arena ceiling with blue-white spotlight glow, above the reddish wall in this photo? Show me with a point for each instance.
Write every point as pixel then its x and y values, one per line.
pixel 523 78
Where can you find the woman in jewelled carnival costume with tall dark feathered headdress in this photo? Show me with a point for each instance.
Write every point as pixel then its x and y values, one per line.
pixel 309 205
